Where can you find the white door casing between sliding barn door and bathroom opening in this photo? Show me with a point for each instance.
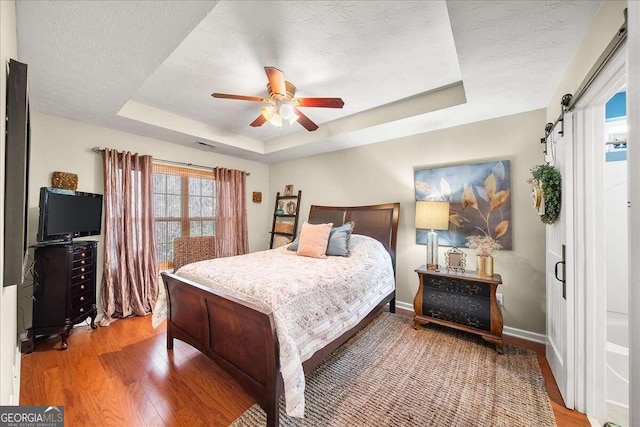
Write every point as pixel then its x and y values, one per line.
pixel 589 117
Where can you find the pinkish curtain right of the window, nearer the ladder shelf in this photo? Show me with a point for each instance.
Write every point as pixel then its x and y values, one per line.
pixel 231 213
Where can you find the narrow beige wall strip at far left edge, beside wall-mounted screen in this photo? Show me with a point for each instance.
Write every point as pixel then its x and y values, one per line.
pixel 9 388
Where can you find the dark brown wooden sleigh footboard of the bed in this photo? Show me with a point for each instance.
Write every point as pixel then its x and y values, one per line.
pixel 240 337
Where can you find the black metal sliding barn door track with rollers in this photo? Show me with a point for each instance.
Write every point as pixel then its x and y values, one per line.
pixel 569 101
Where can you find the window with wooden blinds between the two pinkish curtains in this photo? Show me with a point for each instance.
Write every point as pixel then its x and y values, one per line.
pixel 183 205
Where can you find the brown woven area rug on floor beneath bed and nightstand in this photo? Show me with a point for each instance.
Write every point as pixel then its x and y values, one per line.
pixel 393 375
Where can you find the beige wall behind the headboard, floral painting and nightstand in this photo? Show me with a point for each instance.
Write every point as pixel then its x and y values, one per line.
pixel 383 172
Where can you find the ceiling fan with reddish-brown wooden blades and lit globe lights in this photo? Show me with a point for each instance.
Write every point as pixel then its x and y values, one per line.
pixel 281 102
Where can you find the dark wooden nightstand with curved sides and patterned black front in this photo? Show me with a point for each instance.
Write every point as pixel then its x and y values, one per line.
pixel 463 301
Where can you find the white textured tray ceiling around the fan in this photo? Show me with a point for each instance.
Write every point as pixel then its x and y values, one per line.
pixel 402 67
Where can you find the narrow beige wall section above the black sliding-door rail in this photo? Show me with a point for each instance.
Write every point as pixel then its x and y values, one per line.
pixel 605 25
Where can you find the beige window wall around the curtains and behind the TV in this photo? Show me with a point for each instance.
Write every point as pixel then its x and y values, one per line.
pixel 59 144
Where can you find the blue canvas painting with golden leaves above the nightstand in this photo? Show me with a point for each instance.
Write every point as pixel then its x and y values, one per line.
pixel 479 197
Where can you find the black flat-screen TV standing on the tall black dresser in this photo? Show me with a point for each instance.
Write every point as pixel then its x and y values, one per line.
pixel 66 214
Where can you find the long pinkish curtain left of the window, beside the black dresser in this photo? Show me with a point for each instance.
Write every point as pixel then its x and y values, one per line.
pixel 130 277
